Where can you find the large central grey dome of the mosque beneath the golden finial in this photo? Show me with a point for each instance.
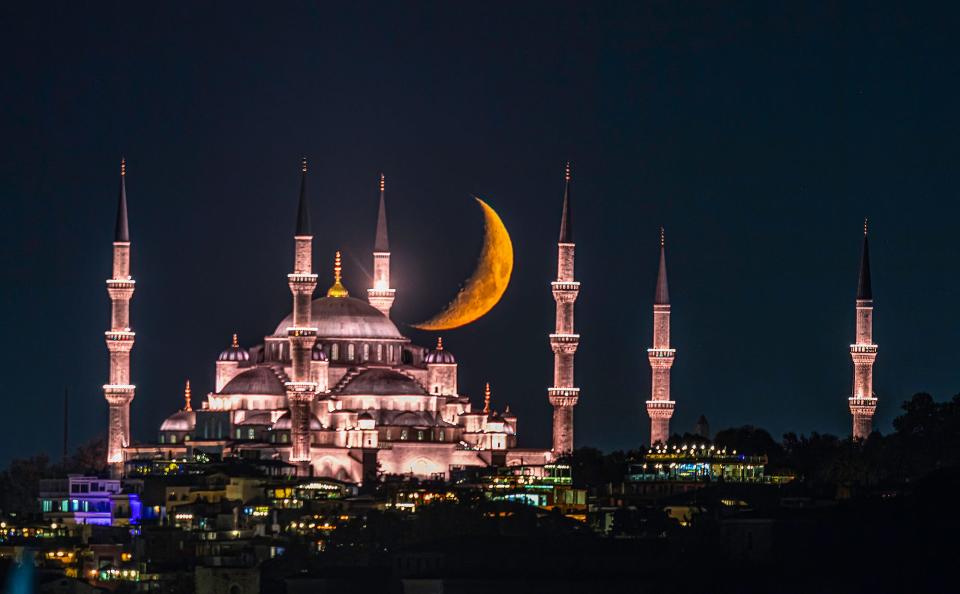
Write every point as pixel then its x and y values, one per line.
pixel 345 317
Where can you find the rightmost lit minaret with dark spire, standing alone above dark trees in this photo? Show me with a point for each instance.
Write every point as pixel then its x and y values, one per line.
pixel 863 403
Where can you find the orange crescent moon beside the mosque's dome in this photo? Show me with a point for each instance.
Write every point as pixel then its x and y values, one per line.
pixel 487 284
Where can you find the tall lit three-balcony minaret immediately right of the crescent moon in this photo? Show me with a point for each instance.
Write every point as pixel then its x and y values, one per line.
pixel 563 395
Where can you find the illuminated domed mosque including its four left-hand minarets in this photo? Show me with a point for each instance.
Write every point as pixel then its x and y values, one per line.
pixel 336 389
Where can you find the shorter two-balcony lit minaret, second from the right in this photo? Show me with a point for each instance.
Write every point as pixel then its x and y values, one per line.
pixel 660 407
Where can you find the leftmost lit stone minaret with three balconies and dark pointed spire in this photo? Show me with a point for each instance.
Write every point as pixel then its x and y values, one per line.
pixel 119 391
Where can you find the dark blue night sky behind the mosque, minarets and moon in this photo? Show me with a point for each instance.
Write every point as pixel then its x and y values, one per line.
pixel 759 137
